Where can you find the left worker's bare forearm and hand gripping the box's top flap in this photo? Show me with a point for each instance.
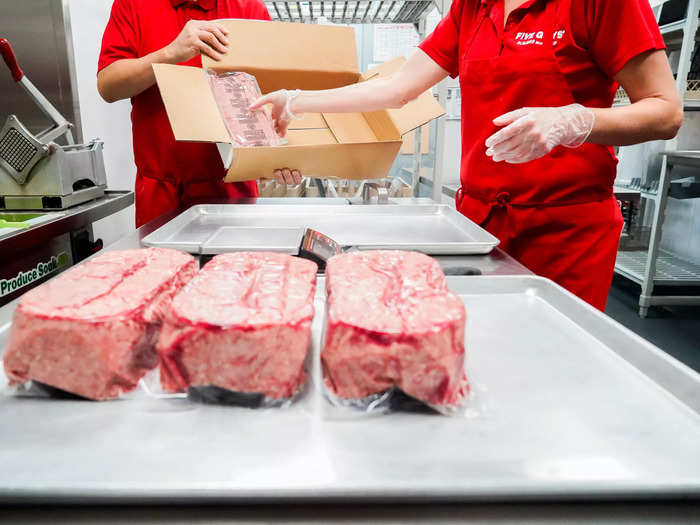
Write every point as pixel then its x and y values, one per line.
pixel 128 77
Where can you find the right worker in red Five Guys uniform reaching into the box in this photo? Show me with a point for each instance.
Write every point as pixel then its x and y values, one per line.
pixel 538 78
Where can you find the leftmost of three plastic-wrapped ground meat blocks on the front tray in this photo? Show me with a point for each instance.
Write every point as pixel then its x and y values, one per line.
pixel 92 330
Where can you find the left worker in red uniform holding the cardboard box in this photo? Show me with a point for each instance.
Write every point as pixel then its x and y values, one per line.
pixel 139 34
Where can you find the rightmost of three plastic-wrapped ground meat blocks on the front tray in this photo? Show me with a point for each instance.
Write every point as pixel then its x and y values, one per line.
pixel 392 323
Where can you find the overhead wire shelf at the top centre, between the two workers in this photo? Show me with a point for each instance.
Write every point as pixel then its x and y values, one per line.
pixel 356 12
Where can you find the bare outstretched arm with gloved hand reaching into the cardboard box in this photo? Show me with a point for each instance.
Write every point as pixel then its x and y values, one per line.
pixel 418 74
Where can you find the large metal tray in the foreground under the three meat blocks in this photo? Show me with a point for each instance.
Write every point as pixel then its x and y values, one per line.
pixel 568 404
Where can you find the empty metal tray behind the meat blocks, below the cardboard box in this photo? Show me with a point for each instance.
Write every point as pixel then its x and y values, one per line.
pixel 430 228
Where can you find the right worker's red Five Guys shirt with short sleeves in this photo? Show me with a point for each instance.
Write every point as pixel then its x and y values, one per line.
pixel 593 39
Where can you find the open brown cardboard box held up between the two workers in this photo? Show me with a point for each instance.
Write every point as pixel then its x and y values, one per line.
pixel 295 56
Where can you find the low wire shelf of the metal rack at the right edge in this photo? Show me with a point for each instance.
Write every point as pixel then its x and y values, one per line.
pixel 670 269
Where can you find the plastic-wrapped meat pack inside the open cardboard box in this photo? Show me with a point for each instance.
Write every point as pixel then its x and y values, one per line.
pixel 234 92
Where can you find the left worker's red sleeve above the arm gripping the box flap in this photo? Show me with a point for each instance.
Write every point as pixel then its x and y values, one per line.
pixel 120 39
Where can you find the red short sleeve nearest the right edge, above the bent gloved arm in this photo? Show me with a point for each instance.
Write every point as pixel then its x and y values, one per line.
pixel 615 31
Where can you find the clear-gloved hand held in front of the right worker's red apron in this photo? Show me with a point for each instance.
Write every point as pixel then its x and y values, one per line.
pixel 531 133
